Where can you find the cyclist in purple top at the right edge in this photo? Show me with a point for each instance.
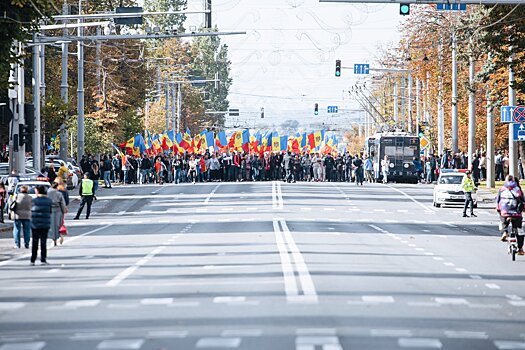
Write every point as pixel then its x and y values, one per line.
pixel 510 203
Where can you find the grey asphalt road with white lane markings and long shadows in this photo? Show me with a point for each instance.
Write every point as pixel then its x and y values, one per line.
pixel 303 266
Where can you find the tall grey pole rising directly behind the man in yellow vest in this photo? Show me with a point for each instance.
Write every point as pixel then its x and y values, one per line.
pixel 80 89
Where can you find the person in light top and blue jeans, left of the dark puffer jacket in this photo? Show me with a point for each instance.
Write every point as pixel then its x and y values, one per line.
pixel 22 217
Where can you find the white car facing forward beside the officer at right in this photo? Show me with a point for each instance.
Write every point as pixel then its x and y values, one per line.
pixel 449 191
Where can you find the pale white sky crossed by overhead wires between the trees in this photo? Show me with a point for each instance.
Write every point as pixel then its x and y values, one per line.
pixel 286 61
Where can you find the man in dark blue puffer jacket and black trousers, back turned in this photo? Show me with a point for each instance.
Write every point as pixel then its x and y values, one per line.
pixel 40 223
